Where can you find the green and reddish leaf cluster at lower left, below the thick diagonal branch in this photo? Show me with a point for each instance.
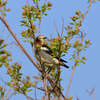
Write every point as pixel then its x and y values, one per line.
pixel 20 85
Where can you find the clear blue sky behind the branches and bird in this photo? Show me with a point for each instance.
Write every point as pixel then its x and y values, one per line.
pixel 85 76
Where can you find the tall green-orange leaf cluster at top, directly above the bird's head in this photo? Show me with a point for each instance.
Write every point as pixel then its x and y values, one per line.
pixel 30 15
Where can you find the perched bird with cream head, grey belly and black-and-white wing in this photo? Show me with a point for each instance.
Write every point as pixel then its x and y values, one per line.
pixel 46 54
